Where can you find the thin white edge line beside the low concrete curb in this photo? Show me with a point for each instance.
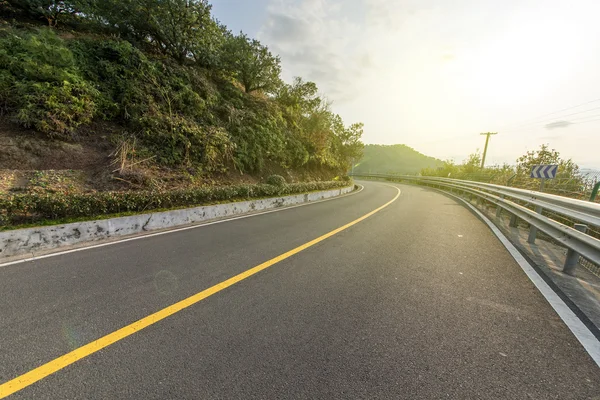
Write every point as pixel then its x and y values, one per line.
pixel 199 225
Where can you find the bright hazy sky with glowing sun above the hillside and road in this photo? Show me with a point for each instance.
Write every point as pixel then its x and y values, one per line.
pixel 434 74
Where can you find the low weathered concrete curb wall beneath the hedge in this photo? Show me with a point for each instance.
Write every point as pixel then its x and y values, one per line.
pixel 31 240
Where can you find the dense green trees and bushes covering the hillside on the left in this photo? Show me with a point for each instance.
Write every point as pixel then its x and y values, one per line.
pixel 189 92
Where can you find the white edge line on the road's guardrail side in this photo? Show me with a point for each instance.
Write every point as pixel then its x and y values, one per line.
pixel 581 332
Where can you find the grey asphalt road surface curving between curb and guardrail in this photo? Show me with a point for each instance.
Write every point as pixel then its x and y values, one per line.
pixel 417 301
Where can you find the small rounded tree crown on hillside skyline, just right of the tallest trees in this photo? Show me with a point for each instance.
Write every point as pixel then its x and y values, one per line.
pixel 252 64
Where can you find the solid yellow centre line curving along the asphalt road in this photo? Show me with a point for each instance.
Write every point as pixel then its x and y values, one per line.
pixel 29 378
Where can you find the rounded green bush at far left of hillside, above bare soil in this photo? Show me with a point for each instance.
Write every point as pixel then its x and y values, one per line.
pixel 40 84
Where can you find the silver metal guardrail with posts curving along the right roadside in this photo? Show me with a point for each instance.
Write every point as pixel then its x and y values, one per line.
pixel 530 206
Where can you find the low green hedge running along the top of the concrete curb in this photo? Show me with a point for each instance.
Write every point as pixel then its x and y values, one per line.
pixel 31 207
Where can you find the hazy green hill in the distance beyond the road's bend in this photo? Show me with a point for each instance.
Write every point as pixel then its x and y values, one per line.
pixel 397 158
